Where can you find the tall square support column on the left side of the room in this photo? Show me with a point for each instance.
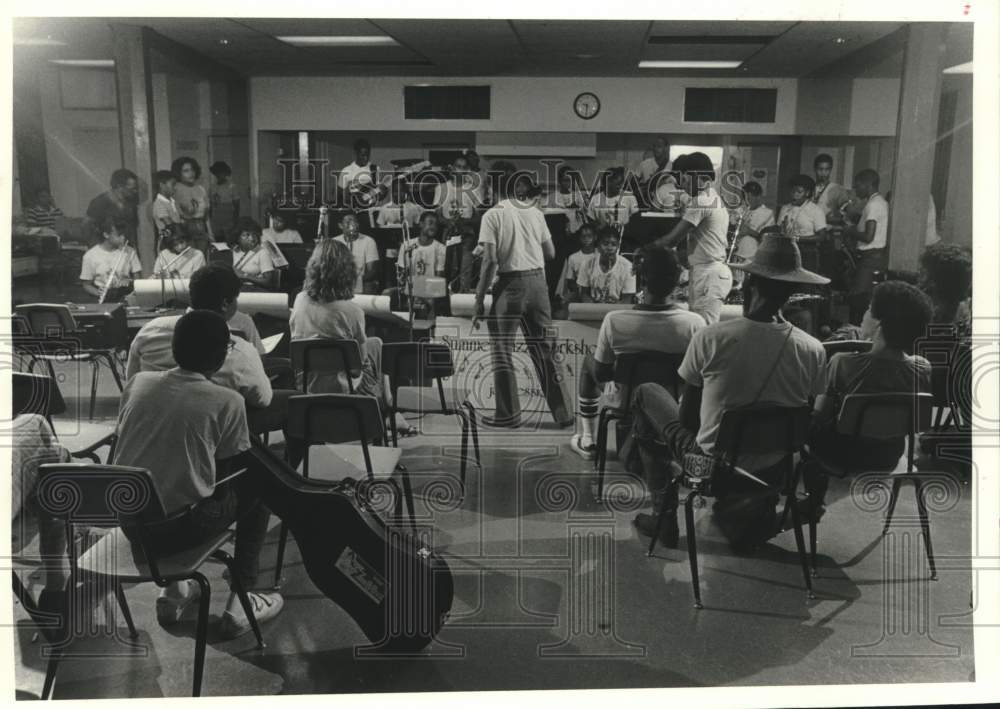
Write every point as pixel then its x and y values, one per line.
pixel 135 119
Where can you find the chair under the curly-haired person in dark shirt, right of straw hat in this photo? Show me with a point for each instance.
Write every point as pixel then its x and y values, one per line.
pixel 883 417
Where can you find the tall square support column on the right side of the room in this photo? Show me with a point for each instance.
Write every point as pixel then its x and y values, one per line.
pixel 916 138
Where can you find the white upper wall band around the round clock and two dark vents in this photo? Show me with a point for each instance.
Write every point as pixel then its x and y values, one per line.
pixel 518 104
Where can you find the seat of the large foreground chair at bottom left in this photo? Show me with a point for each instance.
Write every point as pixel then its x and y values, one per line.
pixel 114 554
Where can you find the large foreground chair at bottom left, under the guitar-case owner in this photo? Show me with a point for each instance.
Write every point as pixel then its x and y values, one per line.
pixel 111 496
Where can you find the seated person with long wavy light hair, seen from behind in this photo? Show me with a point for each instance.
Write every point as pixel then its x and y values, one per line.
pixel 325 309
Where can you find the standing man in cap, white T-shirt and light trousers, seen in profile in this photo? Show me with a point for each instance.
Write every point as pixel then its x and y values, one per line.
pixel 705 225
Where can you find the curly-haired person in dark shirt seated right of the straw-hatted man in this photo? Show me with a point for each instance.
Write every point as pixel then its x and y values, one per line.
pixel 898 316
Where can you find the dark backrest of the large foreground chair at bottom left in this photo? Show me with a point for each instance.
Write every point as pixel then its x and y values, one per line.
pixel 98 495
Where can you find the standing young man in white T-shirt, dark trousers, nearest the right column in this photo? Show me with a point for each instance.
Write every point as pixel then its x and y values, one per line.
pixel 869 236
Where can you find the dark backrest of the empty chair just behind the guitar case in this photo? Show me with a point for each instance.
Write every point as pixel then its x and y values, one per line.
pixel 335 418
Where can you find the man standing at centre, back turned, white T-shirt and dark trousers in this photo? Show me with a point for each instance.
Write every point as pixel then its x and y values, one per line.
pixel 516 243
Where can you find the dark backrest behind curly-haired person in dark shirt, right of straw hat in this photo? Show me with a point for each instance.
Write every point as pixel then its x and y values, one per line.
pixel 885 415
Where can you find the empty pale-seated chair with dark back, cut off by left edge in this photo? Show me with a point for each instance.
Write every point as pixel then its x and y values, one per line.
pixel 38 394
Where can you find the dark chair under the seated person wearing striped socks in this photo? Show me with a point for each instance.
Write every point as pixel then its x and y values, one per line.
pixel 631 370
